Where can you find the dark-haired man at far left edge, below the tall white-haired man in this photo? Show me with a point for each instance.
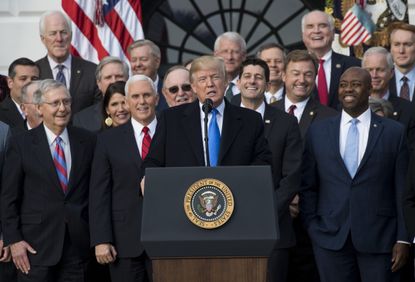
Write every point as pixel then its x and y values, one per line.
pixel 21 72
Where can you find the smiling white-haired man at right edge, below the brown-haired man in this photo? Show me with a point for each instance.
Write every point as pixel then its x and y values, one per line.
pixel 379 63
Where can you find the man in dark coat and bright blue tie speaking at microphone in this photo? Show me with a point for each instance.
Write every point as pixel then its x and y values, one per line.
pixel 179 136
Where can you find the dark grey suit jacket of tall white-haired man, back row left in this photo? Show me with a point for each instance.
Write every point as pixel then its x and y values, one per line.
pixel 83 86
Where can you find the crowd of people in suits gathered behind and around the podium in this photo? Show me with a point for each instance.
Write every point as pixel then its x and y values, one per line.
pixel 338 133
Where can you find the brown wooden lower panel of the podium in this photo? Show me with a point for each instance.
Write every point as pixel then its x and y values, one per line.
pixel 241 269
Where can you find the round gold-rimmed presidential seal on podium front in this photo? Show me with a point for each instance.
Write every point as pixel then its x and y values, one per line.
pixel 208 203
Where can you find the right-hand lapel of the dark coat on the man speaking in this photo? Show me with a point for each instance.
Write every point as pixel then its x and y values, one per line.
pixel 230 128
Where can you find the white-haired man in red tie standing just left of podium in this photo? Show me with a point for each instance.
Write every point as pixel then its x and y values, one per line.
pixel 115 203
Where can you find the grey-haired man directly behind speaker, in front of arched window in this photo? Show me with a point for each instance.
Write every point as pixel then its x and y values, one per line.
pixel 231 47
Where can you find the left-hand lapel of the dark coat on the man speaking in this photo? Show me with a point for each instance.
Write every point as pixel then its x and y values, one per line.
pixel 191 122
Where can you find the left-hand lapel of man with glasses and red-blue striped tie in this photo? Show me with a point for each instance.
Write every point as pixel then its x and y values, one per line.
pixel 42 151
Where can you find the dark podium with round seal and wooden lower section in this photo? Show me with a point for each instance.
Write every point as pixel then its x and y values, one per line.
pixel 235 251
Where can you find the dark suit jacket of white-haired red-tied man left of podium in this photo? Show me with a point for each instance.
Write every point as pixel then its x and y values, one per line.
pixel 115 204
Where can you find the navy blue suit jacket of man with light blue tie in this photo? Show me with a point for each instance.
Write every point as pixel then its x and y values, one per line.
pixel 368 206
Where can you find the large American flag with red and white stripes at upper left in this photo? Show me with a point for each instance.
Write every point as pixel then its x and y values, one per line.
pixel 103 27
